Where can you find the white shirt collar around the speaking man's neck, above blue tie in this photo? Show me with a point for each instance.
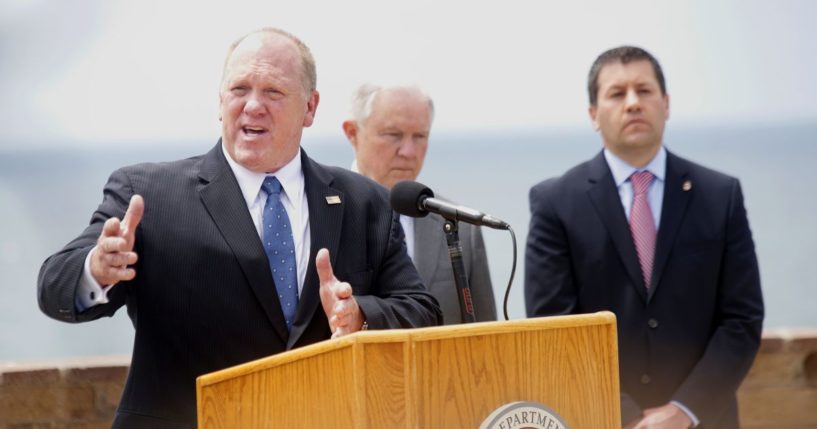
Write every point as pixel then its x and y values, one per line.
pixel 290 175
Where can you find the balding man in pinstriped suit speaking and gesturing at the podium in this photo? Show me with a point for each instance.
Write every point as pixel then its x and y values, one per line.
pixel 194 255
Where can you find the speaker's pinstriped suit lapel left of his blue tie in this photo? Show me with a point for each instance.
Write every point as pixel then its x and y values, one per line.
pixel 221 196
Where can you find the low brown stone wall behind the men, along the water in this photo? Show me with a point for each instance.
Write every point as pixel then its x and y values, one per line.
pixel 780 391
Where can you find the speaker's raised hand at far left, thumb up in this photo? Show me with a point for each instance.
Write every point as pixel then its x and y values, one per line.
pixel 114 248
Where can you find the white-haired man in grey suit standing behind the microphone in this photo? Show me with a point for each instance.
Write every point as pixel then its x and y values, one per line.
pixel 389 133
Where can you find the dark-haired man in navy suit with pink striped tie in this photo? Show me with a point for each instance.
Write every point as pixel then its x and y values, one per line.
pixel 663 243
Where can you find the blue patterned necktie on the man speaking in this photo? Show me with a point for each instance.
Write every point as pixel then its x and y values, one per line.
pixel 280 249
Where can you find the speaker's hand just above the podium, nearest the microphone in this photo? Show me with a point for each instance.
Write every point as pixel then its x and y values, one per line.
pixel 338 303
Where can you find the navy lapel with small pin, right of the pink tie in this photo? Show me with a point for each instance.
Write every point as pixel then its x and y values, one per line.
pixel 673 210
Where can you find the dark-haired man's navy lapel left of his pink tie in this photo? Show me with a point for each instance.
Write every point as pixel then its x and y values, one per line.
pixel 605 198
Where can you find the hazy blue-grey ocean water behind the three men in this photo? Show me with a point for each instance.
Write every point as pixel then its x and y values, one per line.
pixel 47 197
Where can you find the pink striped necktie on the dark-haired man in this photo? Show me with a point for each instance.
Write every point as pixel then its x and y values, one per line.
pixel 642 224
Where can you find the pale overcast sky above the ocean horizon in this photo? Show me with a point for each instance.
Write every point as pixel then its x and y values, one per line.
pixel 105 72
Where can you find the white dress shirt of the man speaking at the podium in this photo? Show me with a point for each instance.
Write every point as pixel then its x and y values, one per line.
pixel 293 197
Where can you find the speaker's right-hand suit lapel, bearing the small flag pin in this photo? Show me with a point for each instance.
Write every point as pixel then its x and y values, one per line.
pixel 325 222
